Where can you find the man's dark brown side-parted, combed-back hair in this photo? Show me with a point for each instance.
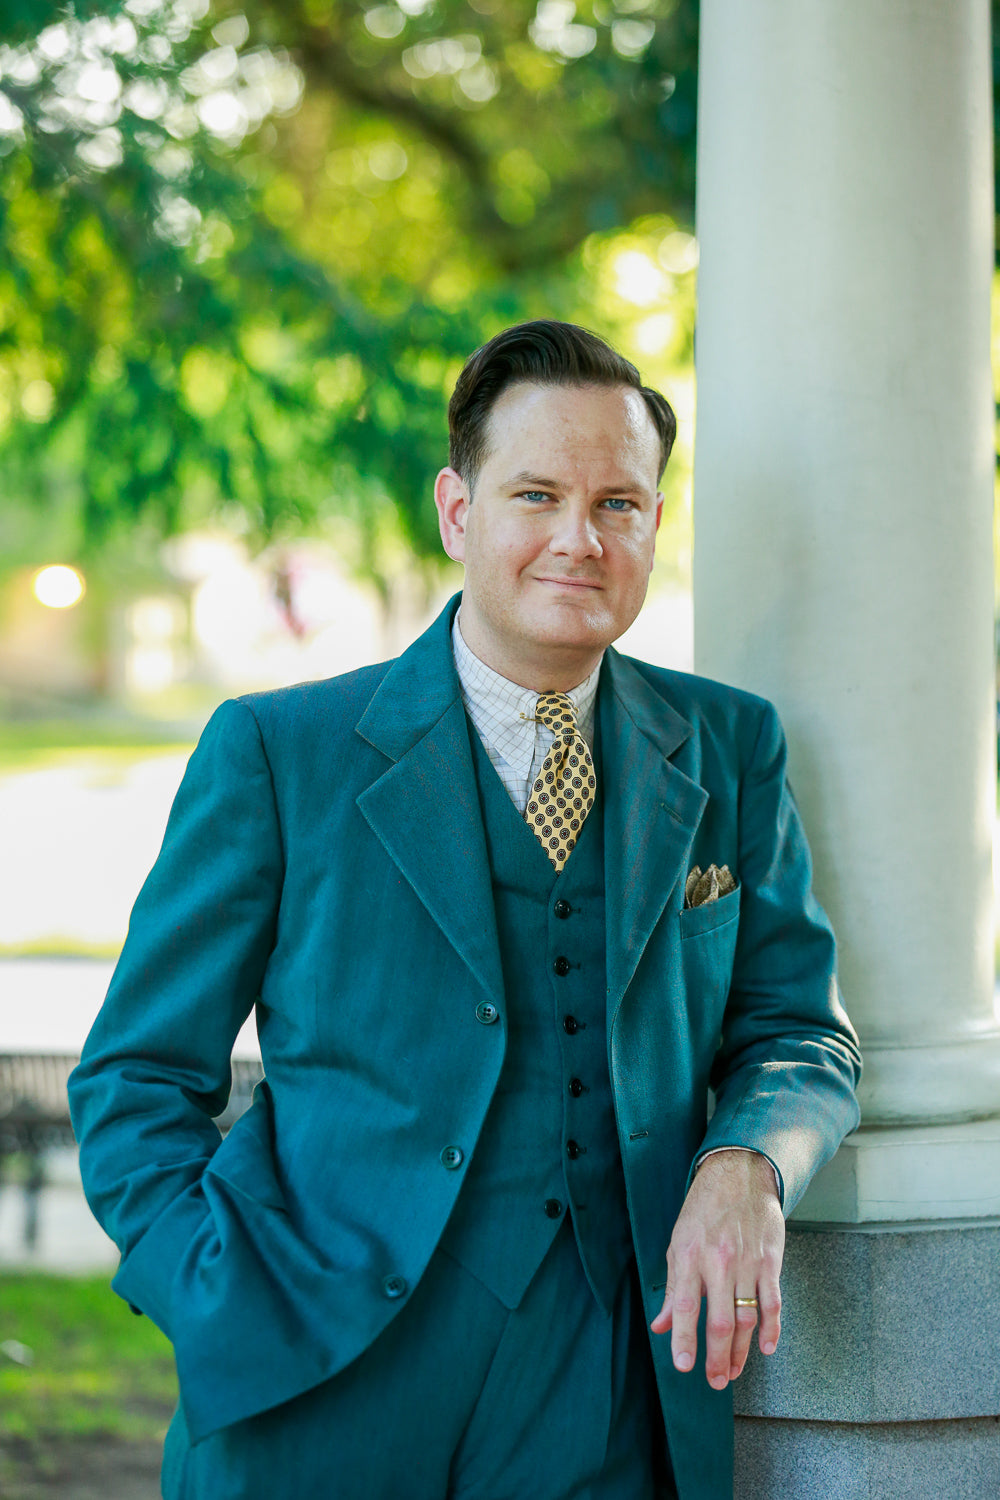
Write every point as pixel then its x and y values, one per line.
pixel 545 353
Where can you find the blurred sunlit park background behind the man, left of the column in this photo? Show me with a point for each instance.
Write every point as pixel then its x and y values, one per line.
pixel 245 250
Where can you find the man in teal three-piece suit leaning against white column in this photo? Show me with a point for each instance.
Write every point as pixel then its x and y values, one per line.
pixel 507 908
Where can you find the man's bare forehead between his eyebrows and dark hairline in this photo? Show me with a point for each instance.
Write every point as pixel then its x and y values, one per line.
pixel 594 424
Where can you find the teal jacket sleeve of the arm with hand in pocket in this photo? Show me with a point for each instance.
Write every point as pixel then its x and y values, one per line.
pixel 157 1064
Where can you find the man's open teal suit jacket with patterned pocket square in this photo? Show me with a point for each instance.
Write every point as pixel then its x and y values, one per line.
pixel 326 862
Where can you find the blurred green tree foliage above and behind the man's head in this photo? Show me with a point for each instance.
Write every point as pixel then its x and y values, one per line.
pixel 245 250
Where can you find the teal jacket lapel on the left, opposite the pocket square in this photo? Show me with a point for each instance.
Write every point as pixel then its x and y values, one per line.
pixel 427 811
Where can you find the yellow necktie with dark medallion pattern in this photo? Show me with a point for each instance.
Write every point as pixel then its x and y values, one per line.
pixel 563 793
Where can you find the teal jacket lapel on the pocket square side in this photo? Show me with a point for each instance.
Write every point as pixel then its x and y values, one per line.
pixel 651 815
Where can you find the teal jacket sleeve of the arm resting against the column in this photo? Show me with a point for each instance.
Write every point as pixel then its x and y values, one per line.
pixel 788 1064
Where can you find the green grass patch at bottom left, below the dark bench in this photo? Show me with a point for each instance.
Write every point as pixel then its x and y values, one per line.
pixel 95 1367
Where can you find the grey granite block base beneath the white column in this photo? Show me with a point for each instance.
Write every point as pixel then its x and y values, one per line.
pixel 887 1381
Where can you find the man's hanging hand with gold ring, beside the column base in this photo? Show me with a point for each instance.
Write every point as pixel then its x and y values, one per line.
pixel 728 1244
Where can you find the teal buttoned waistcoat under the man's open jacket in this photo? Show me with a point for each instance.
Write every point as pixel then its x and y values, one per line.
pixel 549 1144
